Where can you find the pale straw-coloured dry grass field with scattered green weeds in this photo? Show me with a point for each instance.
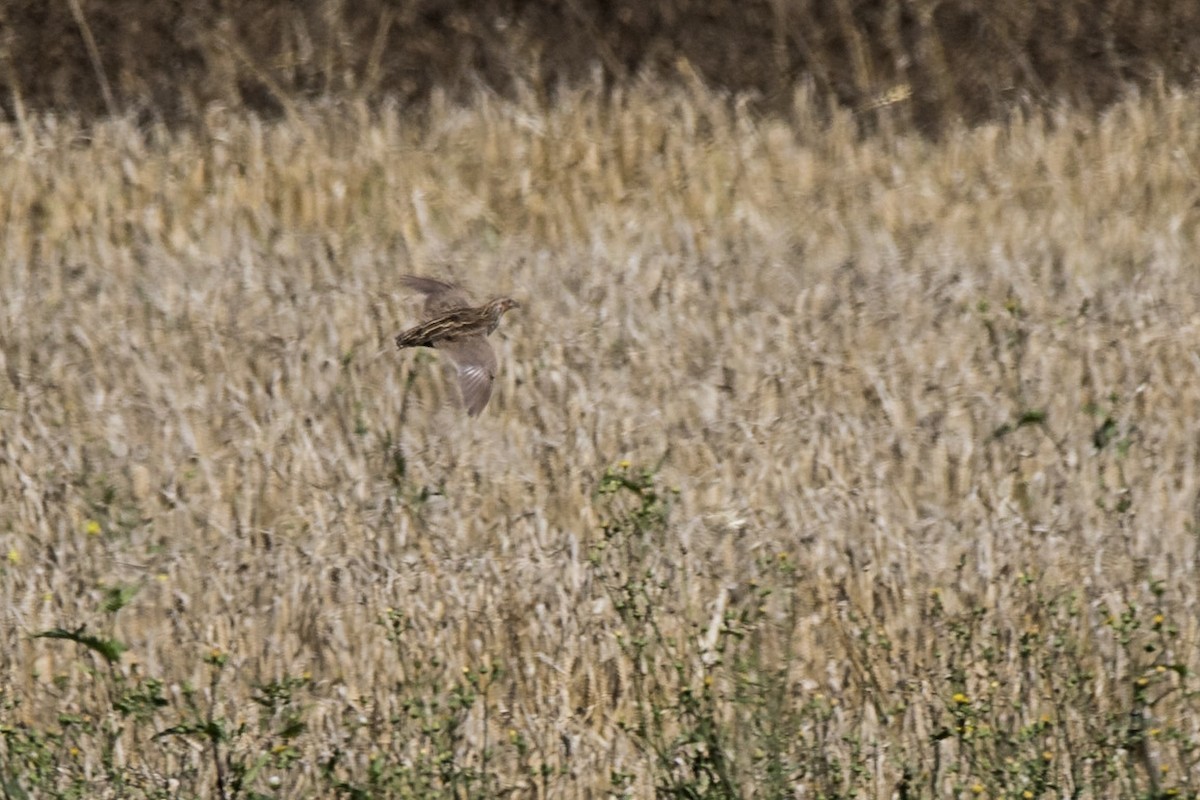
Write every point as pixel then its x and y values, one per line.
pixel 818 467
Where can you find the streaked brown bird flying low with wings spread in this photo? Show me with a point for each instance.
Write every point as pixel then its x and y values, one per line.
pixel 455 328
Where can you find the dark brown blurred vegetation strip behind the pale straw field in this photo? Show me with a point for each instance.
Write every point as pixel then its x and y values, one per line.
pixel 947 59
